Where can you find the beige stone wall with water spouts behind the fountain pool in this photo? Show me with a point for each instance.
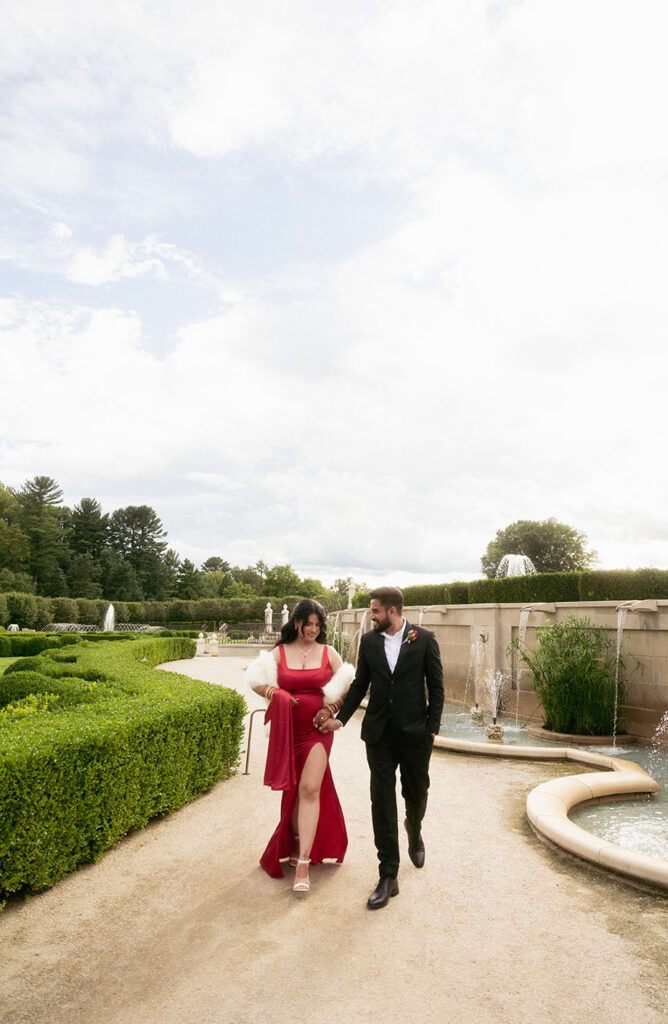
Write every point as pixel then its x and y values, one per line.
pixel 458 627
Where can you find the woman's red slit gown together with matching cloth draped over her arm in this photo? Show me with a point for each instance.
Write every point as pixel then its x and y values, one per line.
pixel 295 723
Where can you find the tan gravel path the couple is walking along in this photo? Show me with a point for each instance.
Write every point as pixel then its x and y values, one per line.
pixel 179 924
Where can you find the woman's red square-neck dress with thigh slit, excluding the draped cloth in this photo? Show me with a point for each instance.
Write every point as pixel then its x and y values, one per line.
pixel 331 838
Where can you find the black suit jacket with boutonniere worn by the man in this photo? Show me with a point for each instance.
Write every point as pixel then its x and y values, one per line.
pixel 400 697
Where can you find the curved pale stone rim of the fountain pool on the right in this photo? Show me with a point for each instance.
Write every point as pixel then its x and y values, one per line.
pixel 549 805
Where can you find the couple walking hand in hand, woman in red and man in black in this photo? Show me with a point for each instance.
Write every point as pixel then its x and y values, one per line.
pixel 307 686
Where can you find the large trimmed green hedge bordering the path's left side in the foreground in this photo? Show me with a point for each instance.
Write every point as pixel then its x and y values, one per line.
pixel 120 744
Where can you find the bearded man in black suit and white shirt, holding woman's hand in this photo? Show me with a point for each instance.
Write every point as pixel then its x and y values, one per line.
pixel 396 661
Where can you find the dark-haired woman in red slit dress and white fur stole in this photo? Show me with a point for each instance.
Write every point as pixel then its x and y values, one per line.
pixel 298 678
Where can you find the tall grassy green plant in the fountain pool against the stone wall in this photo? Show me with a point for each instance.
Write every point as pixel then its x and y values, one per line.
pixel 574 667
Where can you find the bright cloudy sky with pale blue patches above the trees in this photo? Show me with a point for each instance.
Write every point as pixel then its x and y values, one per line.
pixel 351 286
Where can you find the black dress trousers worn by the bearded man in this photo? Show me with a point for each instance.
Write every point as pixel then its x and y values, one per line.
pixel 412 757
